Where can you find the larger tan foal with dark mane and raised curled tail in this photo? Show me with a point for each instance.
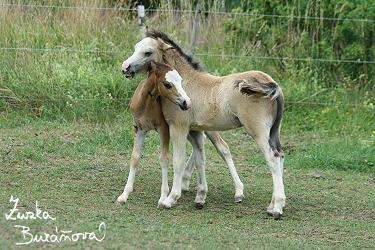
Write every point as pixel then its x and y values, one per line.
pixel 250 99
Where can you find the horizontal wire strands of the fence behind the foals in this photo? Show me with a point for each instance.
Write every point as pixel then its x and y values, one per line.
pixel 199 55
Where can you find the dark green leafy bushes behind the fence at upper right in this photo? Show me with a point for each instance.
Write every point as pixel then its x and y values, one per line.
pixel 313 37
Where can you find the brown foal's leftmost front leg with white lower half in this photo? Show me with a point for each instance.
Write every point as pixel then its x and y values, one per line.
pixel 139 137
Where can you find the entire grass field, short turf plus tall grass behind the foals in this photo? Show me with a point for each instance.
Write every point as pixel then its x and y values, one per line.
pixel 66 141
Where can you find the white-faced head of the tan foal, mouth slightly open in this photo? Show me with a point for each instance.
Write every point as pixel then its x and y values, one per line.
pixel 147 50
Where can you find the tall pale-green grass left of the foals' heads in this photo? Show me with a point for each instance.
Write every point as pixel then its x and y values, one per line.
pixel 55 82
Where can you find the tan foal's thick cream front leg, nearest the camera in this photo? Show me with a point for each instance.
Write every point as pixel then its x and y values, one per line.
pixel 179 150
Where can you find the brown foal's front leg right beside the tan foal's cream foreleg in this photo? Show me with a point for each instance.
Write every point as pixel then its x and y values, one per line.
pixel 164 161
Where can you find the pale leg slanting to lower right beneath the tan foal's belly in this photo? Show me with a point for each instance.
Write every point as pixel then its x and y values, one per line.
pixel 223 150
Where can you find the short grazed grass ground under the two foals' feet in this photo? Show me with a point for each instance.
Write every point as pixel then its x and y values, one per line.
pixel 76 171
